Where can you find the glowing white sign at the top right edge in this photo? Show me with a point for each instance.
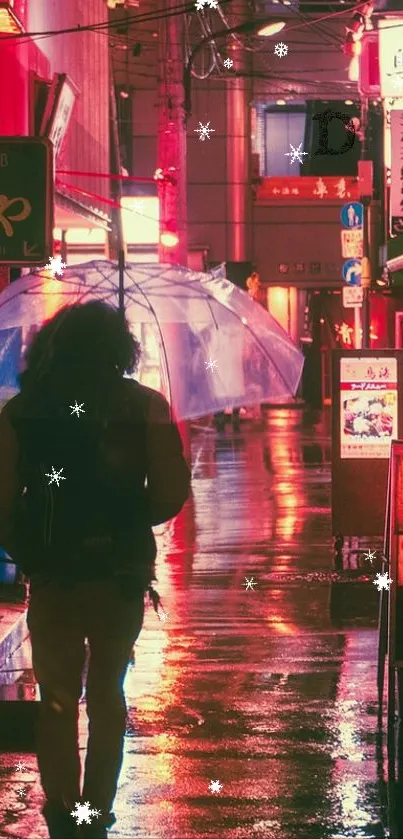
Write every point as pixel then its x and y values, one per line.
pixel 391 57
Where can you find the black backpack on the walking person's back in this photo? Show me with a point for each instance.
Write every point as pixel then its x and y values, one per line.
pixel 82 505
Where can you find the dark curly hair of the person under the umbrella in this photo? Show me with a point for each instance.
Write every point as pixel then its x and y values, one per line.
pixel 88 339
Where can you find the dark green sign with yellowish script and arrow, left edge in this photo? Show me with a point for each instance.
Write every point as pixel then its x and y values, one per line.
pixel 26 200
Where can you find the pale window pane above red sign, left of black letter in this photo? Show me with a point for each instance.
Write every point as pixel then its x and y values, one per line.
pixel 282 128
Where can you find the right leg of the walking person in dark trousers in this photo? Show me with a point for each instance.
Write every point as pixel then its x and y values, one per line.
pixel 114 621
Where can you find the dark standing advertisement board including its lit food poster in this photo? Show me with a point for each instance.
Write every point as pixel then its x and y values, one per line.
pixel 367 414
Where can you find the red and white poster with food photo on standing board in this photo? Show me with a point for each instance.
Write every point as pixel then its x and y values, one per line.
pixel 368 407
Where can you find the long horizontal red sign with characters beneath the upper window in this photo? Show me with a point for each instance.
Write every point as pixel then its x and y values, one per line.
pixel 308 188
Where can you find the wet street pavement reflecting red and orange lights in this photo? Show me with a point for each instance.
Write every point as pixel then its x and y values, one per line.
pixel 270 690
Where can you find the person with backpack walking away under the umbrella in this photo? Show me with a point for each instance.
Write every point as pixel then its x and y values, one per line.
pixel 89 461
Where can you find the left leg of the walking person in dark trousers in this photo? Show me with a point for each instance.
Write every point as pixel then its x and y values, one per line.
pixel 58 658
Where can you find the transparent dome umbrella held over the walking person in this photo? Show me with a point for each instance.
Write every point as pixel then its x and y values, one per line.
pixel 206 344
